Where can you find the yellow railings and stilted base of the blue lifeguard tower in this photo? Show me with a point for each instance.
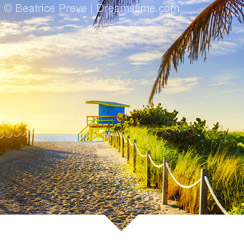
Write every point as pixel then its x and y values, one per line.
pixel 96 128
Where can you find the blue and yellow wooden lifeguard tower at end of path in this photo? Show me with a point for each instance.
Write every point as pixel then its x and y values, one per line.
pixel 109 114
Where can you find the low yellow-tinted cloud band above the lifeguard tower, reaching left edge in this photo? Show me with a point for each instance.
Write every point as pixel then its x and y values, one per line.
pixel 25 78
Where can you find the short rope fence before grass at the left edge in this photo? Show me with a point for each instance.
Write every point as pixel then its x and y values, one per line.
pixel 10 142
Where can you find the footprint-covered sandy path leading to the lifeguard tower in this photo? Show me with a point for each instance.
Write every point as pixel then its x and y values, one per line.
pixel 73 178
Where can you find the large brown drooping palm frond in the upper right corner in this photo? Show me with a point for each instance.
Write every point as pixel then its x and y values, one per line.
pixel 211 24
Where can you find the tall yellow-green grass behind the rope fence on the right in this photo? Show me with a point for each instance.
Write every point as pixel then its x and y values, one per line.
pixel 226 173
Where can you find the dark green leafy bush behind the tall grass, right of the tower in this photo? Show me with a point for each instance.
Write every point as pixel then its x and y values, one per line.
pixel 183 135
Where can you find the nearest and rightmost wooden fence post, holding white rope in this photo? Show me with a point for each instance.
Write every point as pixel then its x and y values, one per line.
pixel 203 193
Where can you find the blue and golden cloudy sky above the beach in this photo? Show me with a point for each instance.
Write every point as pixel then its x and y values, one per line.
pixel 52 60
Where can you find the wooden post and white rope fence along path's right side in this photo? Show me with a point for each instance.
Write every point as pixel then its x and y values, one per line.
pixel 123 144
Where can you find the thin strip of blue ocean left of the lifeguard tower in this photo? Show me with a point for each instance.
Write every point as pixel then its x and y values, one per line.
pixel 56 137
